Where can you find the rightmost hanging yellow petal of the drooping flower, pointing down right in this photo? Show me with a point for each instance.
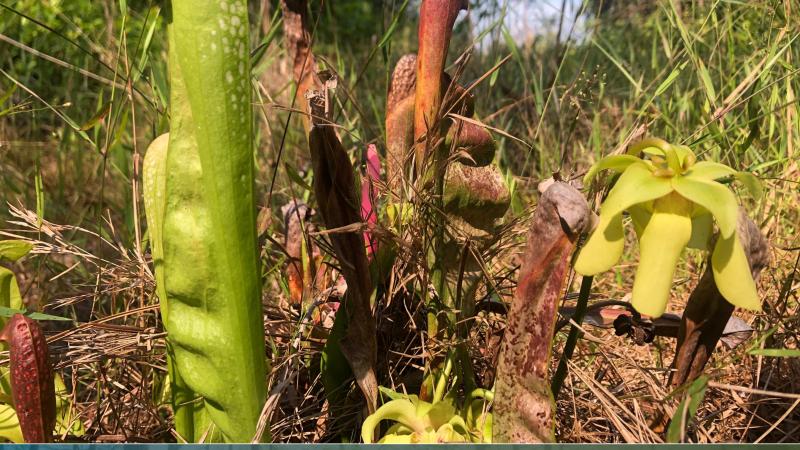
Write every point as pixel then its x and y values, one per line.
pixel 732 273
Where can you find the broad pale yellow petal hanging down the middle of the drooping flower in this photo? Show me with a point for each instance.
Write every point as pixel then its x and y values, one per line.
pixel 660 247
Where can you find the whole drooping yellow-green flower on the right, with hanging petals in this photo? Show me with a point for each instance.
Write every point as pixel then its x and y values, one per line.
pixel 673 201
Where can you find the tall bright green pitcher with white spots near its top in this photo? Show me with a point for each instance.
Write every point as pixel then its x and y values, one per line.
pixel 201 214
